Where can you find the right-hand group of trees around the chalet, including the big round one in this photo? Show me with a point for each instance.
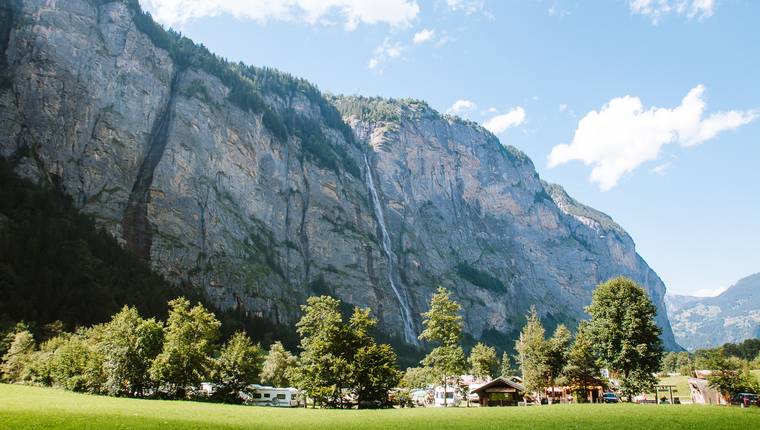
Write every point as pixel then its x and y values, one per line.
pixel 621 335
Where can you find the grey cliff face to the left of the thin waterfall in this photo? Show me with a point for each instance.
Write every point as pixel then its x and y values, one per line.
pixel 159 154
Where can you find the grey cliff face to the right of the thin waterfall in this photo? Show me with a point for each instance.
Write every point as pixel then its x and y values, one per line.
pixel 472 215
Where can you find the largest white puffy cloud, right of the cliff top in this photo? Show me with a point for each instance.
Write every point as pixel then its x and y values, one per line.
pixel 623 135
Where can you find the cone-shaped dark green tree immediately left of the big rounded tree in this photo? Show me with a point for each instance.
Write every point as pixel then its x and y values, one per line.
pixel 582 371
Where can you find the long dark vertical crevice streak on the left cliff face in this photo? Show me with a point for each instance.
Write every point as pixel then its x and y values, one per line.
pixel 136 228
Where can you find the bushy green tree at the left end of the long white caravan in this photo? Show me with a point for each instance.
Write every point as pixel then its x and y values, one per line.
pixel 238 366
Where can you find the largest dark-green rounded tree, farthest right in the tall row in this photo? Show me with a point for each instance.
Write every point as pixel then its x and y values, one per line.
pixel 625 335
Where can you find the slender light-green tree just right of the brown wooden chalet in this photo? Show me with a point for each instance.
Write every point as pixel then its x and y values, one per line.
pixel 533 354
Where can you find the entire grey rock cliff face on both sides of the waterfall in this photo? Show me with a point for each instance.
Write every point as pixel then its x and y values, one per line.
pixel 263 215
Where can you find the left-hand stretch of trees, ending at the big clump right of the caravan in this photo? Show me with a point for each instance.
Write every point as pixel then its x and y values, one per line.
pixel 145 357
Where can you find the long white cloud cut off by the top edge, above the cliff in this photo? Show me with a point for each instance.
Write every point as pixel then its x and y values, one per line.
pixel 353 12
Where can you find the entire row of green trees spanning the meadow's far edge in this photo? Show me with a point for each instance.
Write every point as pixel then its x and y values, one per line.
pixel 340 363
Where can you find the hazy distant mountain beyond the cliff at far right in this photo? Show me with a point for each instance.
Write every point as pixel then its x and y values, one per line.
pixel 705 322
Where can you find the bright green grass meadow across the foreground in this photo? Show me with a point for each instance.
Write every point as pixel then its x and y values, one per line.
pixel 45 408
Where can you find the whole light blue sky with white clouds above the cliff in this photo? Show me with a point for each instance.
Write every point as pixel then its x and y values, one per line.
pixel 648 110
